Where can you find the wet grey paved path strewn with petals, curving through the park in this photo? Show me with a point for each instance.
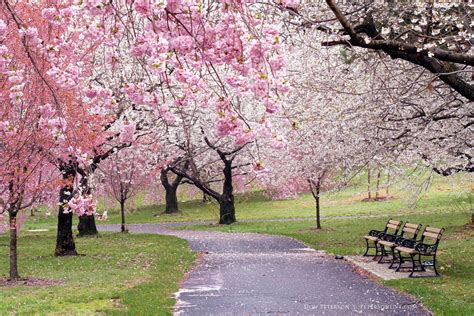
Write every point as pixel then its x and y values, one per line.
pixel 254 274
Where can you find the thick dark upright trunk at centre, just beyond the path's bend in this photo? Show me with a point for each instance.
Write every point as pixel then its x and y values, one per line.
pixel 226 200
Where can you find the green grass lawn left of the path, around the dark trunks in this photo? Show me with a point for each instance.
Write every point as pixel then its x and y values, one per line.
pixel 120 273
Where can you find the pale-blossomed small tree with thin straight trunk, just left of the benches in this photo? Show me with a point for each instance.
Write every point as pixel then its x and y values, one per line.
pixel 333 124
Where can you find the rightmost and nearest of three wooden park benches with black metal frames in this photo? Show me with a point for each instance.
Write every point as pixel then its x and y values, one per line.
pixel 417 249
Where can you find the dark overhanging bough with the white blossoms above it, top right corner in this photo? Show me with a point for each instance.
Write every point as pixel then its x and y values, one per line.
pixel 437 33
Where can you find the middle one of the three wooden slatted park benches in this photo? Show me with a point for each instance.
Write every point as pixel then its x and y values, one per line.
pixel 389 242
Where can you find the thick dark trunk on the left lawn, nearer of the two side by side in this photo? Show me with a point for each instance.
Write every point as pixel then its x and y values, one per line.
pixel 65 241
